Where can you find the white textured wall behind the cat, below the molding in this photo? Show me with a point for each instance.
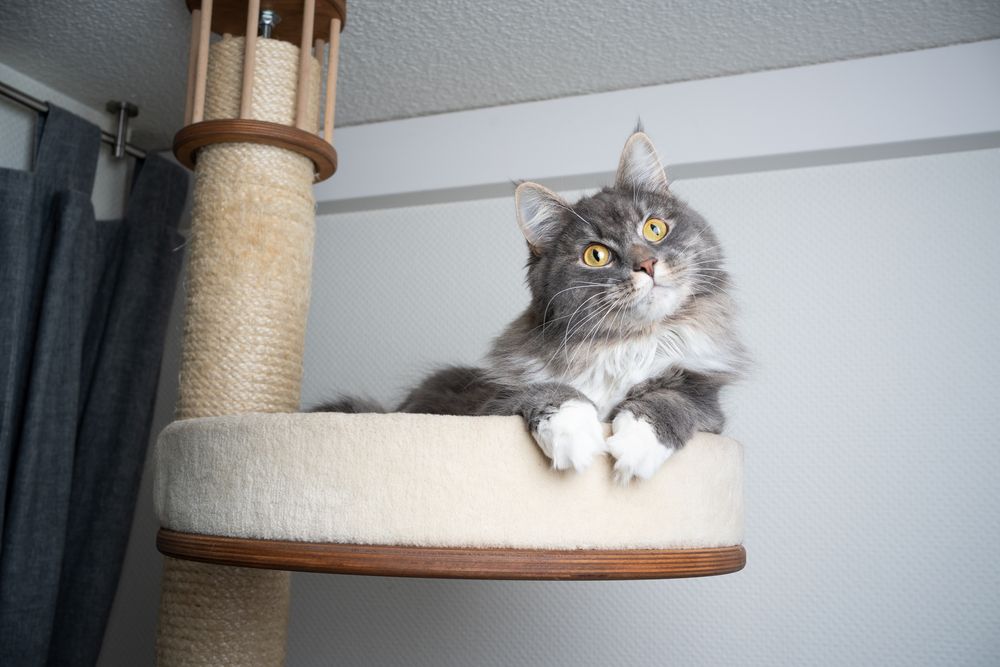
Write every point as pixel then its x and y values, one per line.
pixel 870 422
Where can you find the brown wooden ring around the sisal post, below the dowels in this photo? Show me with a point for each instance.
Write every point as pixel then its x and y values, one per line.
pixel 243 130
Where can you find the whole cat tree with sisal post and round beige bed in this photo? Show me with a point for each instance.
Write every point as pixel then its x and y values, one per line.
pixel 246 490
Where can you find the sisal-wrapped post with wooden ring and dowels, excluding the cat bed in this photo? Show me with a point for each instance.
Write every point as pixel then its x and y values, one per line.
pixel 254 112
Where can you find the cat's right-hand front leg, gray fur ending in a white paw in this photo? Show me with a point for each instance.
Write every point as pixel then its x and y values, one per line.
pixel 655 420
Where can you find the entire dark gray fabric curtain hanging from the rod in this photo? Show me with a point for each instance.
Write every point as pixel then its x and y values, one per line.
pixel 83 312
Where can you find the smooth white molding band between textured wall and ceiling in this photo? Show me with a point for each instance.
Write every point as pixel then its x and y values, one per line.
pixel 916 103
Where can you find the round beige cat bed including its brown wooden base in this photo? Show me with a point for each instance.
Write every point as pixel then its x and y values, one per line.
pixel 354 493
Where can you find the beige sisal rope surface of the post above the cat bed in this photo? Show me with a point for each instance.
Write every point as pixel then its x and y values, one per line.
pixel 251 250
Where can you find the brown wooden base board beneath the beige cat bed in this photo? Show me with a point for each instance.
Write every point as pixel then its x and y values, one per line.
pixel 453 563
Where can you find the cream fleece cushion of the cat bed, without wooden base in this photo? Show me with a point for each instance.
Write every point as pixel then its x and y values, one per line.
pixel 423 480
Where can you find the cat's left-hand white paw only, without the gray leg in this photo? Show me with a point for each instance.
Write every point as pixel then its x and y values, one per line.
pixel 571 435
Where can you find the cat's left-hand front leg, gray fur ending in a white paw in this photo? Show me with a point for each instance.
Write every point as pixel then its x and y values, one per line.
pixel 562 421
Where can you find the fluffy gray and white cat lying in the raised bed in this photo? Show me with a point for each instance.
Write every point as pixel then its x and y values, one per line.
pixel 630 320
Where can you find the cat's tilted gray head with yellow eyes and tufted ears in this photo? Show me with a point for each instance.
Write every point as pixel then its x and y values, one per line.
pixel 625 258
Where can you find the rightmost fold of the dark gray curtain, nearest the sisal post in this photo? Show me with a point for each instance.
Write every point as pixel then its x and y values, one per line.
pixel 122 392
